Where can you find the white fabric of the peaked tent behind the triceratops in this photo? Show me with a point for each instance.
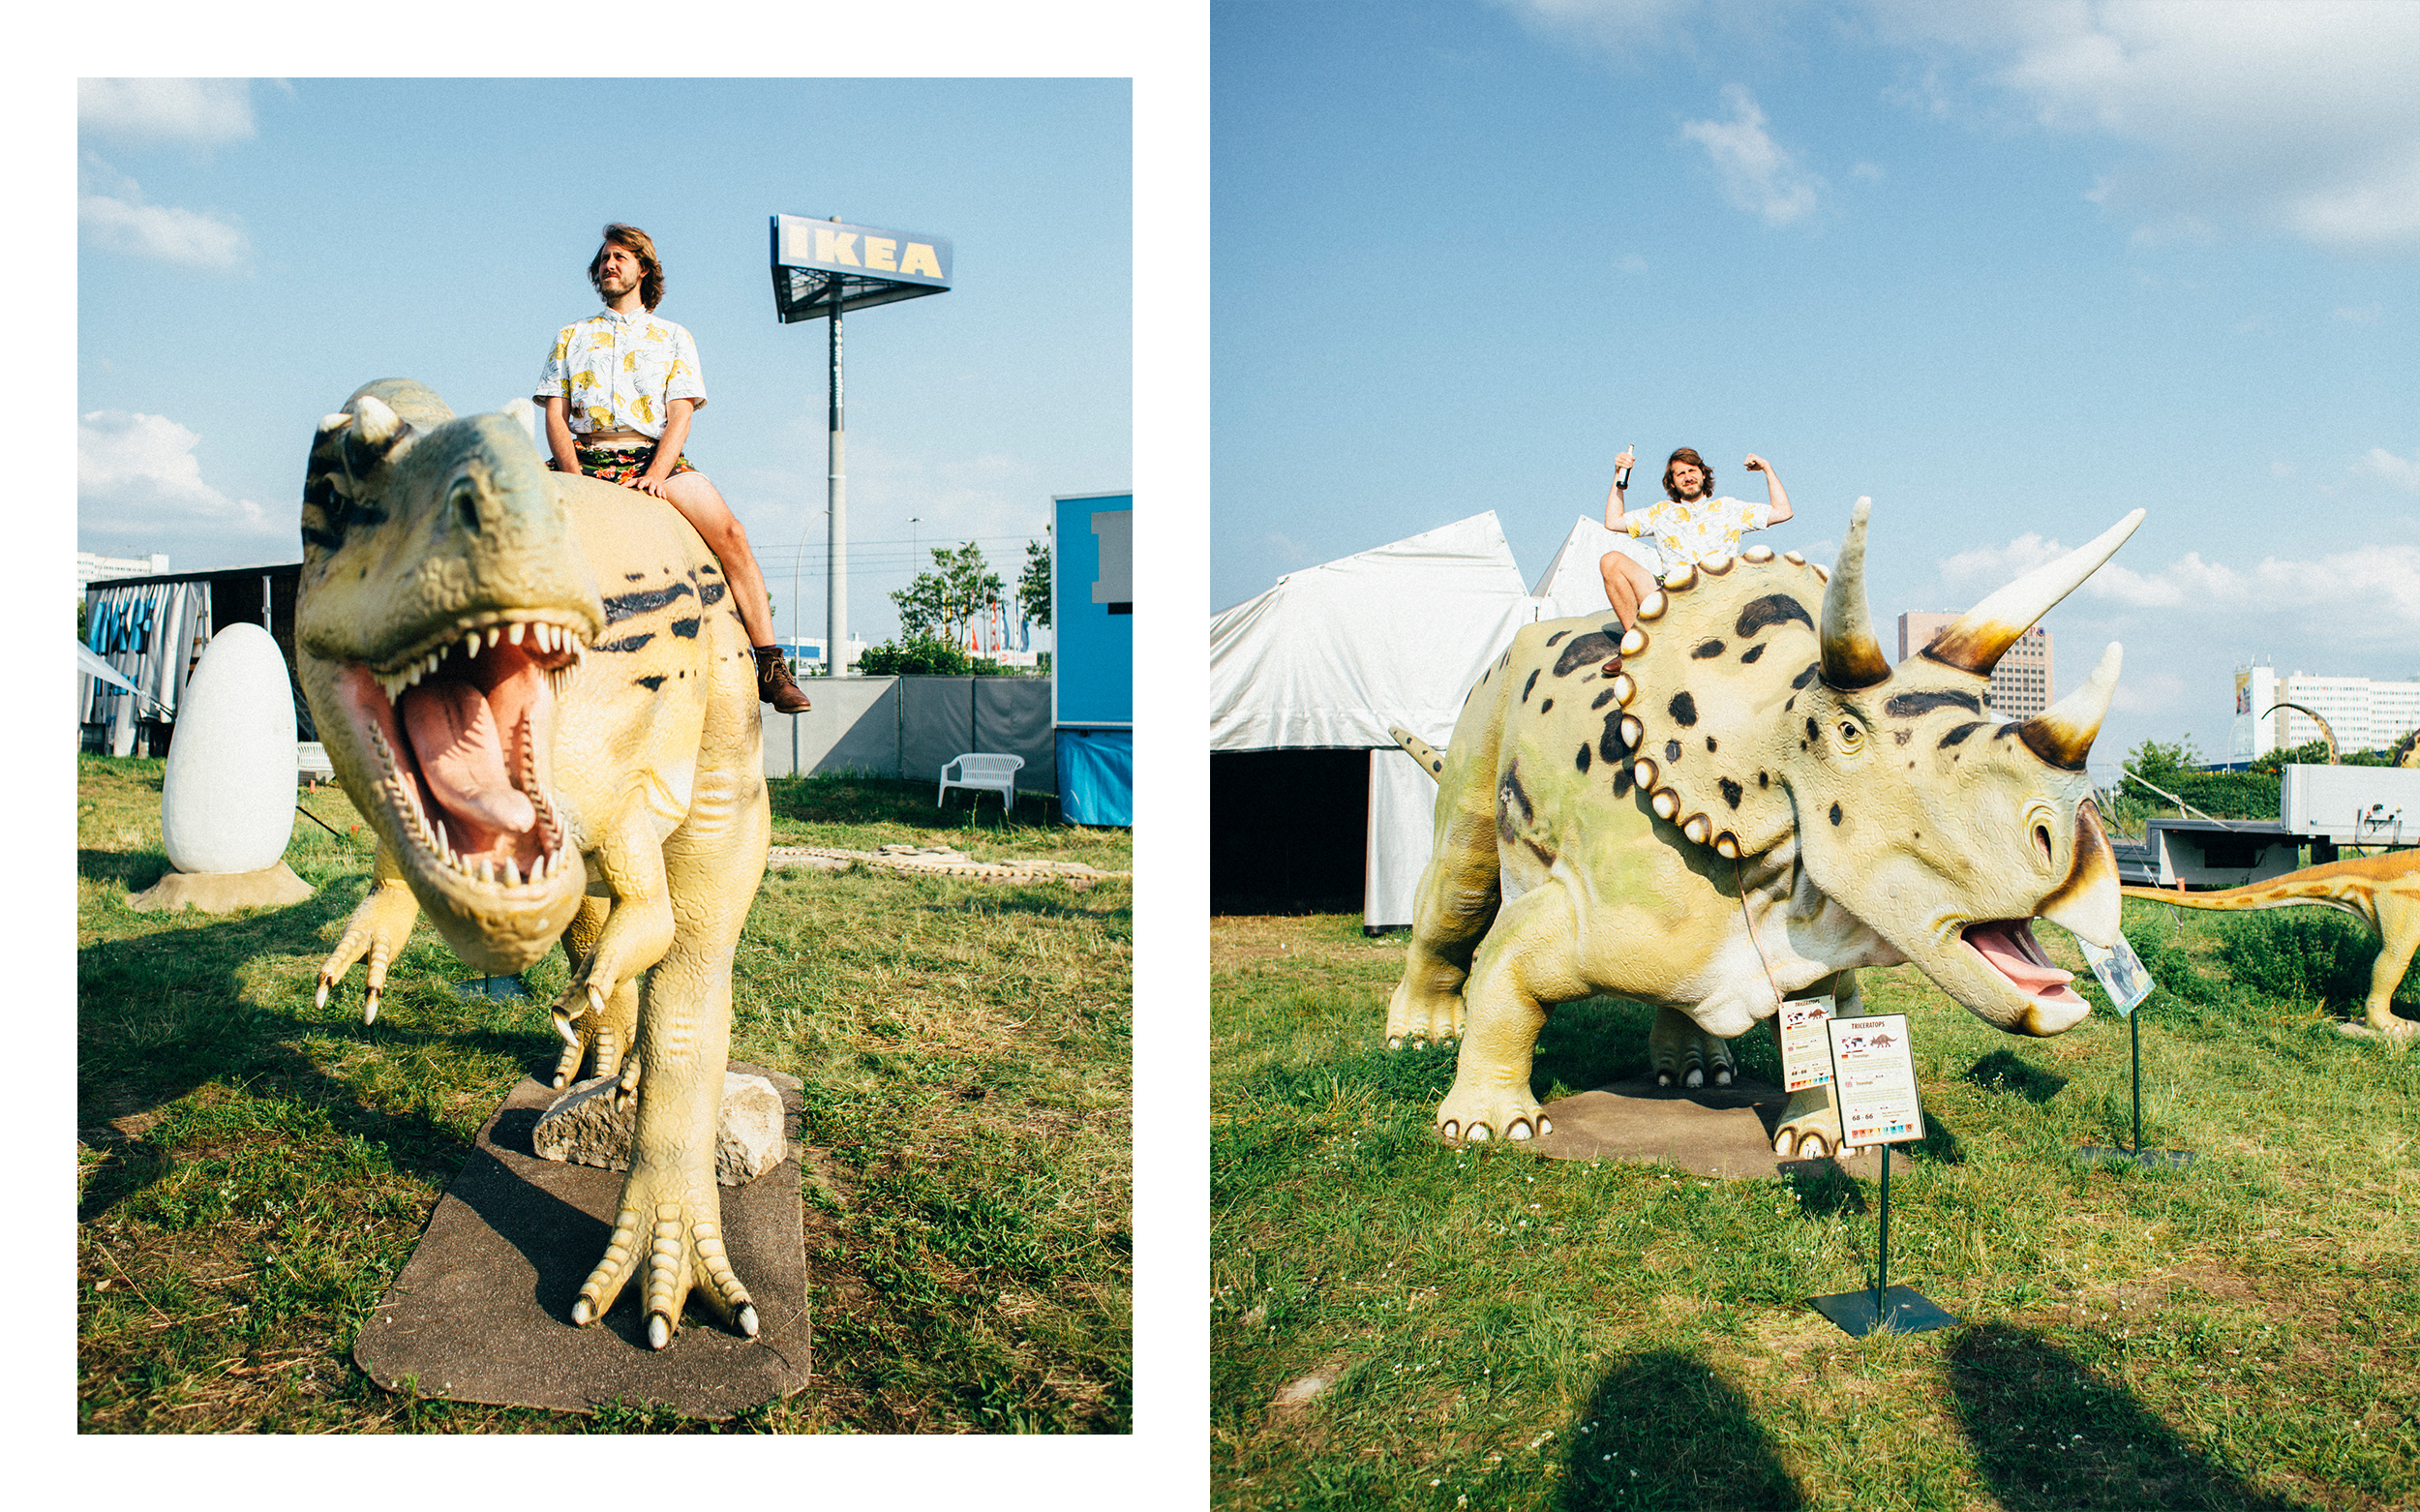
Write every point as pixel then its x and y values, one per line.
pixel 1385 637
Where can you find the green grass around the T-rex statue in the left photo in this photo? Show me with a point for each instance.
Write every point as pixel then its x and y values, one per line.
pixel 255 1170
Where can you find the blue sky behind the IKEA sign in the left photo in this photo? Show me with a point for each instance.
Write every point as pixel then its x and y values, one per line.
pixel 250 253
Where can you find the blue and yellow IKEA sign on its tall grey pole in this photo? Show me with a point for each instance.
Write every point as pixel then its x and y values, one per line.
pixel 822 270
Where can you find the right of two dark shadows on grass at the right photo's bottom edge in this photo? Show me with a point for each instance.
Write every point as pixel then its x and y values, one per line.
pixel 2053 1436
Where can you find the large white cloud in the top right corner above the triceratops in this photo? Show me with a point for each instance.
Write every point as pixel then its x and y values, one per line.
pixel 2291 115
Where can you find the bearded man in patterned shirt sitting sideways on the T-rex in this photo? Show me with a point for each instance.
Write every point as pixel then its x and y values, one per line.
pixel 618 393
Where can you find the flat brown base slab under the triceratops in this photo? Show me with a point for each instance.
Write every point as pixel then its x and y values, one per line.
pixel 1710 1131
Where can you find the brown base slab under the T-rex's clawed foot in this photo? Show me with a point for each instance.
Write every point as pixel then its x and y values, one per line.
pixel 483 1310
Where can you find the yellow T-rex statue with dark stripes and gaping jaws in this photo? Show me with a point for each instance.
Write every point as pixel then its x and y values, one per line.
pixel 538 693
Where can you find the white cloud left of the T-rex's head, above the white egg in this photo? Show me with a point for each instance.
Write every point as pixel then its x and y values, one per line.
pixel 137 480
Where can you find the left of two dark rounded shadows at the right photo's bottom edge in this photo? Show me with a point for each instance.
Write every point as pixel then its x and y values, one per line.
pixel 1671 1433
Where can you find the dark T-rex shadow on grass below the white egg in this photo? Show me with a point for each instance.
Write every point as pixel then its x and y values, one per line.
pixel 168 1012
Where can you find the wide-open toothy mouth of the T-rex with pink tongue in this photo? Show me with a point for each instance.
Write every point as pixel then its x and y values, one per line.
pixel 459 729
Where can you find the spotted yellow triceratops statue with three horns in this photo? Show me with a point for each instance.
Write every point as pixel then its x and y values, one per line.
pixel 1736 802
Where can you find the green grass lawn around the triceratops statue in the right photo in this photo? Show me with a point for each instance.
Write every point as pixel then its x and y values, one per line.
pixel 1398 1325
